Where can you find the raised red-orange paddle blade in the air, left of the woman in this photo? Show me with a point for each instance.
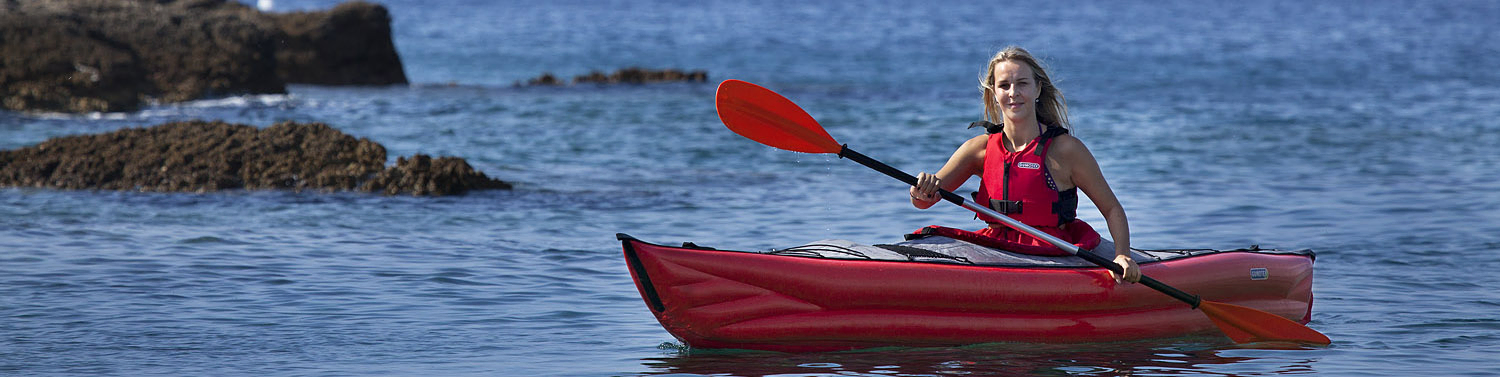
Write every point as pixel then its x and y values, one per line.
pixel 770 119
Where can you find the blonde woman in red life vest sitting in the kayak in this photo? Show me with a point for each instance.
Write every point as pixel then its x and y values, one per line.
pixel 1030 167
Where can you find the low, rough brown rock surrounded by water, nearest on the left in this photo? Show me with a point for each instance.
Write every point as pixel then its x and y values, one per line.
pixel 202 157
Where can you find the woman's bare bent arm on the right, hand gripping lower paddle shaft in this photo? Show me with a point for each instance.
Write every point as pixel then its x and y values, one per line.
pixel 1085 173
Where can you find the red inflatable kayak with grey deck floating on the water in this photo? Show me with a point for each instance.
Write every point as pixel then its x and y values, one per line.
pixel 940 292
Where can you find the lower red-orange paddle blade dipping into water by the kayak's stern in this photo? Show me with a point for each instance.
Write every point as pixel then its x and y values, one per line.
pixel 1246 325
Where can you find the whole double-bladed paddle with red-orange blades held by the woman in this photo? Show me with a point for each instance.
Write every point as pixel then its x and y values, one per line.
pixel 769 118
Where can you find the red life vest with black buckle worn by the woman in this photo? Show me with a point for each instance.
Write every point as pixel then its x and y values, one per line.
pixel 1019 184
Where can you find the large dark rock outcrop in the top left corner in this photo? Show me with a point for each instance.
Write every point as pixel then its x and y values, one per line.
pixel 82 56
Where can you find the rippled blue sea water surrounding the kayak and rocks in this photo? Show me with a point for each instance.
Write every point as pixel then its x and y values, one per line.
pixel 1366 131
